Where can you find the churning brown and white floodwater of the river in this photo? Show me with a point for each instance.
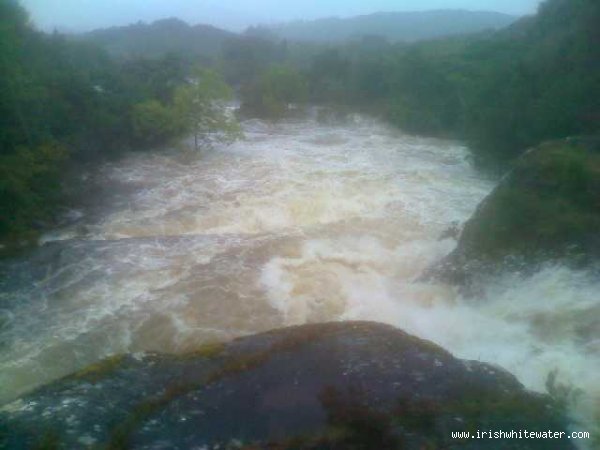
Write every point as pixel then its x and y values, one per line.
pixel 298 223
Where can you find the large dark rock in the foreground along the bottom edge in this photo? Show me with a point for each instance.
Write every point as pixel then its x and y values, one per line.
pixel 353 385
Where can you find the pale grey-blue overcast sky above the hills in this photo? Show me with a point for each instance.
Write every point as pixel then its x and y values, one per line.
pixel 80 15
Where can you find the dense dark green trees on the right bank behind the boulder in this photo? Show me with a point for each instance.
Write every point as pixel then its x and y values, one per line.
pixel 503 92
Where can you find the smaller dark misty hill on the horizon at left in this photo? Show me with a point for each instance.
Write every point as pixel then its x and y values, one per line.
pixel 160 37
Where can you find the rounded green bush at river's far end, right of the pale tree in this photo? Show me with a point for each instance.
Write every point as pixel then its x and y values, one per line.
pixel 278 90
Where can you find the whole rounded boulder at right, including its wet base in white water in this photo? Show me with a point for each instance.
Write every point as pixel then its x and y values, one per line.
pixel 546 209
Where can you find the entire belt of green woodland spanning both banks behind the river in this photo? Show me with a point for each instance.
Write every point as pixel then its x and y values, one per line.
pixel 65 101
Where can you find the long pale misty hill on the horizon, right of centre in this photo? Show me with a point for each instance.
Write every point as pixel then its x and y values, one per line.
pixel 395 26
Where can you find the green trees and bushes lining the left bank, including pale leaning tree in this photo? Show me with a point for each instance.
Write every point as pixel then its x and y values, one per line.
pixel 64 102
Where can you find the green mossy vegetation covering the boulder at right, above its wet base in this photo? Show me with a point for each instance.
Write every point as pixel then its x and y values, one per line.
pixel 548 204
